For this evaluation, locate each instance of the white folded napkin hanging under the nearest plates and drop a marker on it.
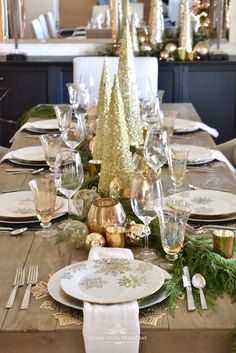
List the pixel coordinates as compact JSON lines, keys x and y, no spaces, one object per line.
{"x":111,"y":328}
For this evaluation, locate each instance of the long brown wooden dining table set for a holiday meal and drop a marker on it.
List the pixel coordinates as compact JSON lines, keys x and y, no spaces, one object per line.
{"x":35,"y":330}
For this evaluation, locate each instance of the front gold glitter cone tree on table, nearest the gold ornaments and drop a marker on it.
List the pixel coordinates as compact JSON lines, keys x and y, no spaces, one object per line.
{"x":116,"y":152}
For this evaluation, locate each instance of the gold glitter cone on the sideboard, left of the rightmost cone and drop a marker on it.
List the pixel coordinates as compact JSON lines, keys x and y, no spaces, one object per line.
{"x":156,"y":22}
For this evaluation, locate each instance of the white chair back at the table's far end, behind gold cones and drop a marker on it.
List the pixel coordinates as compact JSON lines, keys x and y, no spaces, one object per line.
{"x":146,"y":71}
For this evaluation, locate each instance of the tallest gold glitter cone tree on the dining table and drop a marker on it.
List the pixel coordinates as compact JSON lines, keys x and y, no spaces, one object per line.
{"x":129,"y":90}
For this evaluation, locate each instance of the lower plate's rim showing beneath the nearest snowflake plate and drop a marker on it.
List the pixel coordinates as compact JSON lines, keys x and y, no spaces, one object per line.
{"x":56,"y":292}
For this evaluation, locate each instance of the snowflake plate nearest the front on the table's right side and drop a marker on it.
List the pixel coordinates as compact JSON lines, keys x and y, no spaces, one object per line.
{"x":208,"y":203}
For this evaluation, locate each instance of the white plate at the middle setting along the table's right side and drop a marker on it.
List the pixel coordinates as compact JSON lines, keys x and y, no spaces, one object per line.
{"x":199,"y":154}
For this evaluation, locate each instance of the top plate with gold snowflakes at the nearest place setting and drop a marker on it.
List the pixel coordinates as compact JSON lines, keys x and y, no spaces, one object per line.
{"x":113,"y":280}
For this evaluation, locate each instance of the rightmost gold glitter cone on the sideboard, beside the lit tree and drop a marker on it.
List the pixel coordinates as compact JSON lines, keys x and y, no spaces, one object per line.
{"x":185,"y":38}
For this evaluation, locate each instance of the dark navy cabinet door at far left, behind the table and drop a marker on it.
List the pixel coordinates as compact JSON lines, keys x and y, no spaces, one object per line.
{"x":28,"y":86}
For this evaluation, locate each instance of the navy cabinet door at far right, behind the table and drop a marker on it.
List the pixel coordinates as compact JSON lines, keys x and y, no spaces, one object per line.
{"x":212,"y":90}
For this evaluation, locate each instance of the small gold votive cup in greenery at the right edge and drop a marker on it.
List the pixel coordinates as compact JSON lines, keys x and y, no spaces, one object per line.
{"x":223,"y":242}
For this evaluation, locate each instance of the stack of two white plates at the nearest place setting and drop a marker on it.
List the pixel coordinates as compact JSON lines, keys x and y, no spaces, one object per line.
{"x":108,"y":281}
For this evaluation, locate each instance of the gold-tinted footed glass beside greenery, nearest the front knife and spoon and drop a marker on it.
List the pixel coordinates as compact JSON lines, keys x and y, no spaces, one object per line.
{"x":173,"y":219}
